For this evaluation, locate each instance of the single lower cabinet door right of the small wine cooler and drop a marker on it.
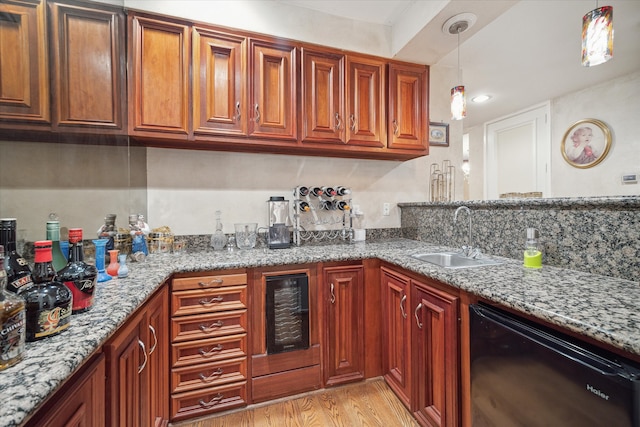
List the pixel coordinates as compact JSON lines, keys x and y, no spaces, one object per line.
{"x":344,"y":317}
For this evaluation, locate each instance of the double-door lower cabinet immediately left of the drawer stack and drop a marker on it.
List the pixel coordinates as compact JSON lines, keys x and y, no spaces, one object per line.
{"x":137,"y":366}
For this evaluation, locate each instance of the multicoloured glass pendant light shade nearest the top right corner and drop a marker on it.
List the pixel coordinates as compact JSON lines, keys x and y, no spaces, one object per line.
{"x":597,"y":36}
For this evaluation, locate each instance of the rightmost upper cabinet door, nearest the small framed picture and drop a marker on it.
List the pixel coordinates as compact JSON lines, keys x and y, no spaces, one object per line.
{"x":408,"y":107}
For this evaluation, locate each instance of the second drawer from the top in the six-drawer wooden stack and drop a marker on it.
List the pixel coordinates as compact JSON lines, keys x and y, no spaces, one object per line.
{"x":208,"y":300}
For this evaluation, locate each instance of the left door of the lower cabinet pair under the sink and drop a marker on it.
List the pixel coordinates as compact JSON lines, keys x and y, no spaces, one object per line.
{"x":396,"y":340}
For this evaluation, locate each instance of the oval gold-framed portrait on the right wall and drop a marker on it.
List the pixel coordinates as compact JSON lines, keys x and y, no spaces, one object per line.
{"x":586,"y":143}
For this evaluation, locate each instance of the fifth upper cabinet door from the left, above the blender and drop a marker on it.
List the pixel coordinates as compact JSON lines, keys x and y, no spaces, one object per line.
{"x":273,"y":93}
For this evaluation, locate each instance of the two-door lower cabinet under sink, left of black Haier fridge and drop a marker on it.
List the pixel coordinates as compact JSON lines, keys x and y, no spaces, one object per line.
{"x":421,"y":347}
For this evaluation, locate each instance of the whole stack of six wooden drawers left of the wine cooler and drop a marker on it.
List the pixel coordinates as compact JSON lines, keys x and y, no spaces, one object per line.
{"x":209,"y":354}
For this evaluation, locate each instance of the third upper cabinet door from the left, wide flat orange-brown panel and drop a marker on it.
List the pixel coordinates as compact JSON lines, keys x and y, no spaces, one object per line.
{"x":158,"y":77}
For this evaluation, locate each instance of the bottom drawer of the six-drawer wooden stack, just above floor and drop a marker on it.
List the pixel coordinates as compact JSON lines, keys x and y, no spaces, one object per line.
{"x":200,"y":402}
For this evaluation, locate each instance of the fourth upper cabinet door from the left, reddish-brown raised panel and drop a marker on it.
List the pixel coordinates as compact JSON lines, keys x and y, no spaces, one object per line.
{"x":219,"y":83}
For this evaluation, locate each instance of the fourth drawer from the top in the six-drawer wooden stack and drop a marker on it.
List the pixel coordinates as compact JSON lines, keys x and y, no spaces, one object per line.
{"x":210,"y":350}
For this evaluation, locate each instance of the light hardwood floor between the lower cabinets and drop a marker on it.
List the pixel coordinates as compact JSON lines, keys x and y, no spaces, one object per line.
{"x":368,"y":403}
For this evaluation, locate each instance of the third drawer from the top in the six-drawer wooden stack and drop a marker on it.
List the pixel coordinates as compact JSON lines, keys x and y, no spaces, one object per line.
{"x":211,"y":325}
